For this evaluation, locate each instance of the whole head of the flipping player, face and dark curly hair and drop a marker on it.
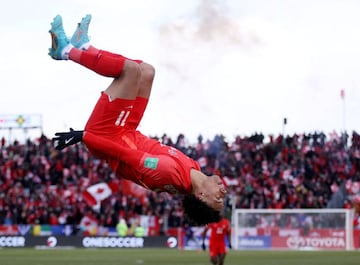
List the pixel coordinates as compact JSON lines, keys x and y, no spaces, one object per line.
{"x":205,"y":206}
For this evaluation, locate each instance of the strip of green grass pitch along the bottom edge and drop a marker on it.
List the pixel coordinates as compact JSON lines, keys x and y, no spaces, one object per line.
{"x":172,"y":257}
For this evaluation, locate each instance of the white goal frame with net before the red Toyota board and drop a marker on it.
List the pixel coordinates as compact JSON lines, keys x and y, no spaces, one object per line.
{"x":293,"y":229}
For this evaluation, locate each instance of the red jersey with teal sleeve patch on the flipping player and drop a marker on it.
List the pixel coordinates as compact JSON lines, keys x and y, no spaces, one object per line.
{"x":145,"y":161}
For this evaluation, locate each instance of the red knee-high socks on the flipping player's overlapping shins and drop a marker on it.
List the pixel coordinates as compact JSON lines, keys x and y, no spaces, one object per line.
{"x":99,"y":61}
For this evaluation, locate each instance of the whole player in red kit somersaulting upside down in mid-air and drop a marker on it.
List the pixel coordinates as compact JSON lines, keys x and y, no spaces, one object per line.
{"x":111,"y":130}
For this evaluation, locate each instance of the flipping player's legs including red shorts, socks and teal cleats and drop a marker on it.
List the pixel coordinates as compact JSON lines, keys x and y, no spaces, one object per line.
{"x":132,"y":78}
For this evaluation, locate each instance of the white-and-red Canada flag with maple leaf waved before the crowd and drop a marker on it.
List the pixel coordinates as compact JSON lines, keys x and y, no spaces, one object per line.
{"x":96,"y":193}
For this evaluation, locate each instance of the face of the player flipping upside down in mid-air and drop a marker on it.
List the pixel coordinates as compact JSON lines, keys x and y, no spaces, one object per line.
{"x":215,"y":193}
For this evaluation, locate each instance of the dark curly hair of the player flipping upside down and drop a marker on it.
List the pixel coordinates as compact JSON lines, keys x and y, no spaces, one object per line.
{"x":198,"y":211}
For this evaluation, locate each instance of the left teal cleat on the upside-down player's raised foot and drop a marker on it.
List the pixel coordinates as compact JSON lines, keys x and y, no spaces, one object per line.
{"x":58,"y":39}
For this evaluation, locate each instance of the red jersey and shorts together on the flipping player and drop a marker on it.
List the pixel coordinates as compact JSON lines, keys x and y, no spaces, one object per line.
{"x":111,"y":134}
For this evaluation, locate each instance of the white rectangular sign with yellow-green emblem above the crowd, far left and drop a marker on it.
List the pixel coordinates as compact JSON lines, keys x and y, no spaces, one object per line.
{"x":20,"y":121}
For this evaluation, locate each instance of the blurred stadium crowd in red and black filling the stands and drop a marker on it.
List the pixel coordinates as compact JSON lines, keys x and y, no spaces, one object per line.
{"x":39,"y":185}
